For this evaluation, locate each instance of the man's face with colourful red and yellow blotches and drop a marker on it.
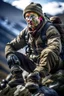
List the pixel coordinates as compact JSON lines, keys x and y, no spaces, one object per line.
{"x":32,"y":19}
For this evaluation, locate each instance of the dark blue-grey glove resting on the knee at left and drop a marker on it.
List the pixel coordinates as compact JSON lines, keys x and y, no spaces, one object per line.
{"x":14,"y":63}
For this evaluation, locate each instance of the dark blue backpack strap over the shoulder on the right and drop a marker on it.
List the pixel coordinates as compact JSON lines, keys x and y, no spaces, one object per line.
{"x":43,"y":33}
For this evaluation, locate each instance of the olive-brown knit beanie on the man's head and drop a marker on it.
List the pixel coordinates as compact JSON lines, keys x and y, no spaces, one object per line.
{"x":33,"y":7}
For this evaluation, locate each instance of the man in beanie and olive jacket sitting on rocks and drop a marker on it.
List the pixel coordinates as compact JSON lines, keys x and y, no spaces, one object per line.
{"x":42,"y":54}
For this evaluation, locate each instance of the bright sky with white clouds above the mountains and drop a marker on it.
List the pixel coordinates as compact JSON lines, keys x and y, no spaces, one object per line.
{"x":52,"y":7}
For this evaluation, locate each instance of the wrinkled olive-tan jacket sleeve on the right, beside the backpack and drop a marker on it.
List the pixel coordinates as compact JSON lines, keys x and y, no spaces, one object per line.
{"x":54,"y":40}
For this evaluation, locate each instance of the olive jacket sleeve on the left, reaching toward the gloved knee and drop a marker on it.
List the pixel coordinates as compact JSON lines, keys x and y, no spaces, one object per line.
{"x":16,"y":44}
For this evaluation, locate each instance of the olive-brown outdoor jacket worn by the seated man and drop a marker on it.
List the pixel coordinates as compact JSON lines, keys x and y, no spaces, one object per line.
{"x":52,"y":42}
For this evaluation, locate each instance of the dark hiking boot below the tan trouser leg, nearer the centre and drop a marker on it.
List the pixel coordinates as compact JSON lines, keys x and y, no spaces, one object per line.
{"x":33,"y":81}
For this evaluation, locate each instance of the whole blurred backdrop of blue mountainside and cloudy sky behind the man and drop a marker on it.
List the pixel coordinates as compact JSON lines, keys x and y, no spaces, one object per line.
{"x":12,"y":22}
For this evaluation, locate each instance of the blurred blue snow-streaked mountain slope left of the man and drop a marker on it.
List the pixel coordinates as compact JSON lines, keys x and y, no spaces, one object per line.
{"x":11,"y":23}
